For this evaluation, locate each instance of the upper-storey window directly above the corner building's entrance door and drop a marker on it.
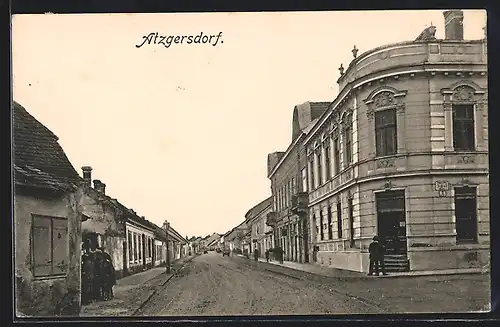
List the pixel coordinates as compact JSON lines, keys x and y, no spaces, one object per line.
{"x":385,"y":132}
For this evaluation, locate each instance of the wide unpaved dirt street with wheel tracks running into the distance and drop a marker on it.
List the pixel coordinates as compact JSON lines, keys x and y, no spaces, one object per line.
{"x":215,"y":285}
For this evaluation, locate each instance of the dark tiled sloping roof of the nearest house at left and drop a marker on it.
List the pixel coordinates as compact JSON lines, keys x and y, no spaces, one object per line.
{"x":39,"y":160}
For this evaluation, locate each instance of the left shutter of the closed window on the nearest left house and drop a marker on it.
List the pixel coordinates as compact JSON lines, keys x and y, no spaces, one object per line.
{"x":42,"y":263}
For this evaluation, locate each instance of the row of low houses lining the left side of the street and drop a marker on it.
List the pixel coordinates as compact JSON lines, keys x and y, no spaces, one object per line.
{"x":56,"y":210}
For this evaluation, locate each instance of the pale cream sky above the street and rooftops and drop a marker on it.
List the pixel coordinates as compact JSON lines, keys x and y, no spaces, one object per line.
{"x":182,"y":133}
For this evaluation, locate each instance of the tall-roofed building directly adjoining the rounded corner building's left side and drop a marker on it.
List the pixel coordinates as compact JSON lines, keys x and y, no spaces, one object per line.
{"x":288,"y":174}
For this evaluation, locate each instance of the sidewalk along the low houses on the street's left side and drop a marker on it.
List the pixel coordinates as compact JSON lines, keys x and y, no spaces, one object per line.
{"x":132,"y":291}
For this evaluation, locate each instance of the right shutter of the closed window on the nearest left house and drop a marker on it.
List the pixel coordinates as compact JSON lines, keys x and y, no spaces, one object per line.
{"x":60,"y":253}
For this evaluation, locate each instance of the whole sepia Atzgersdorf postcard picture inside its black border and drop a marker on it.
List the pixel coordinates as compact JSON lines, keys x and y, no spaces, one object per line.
{"x":191,"y":185}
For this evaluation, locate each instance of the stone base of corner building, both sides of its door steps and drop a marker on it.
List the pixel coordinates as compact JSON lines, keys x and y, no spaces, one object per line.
{"x":421,"y":259}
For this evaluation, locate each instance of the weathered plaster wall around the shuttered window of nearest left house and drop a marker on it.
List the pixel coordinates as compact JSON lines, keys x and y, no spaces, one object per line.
{"x":50,"y":295}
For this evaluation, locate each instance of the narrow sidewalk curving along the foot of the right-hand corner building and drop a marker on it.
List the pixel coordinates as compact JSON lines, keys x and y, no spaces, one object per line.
{"x":335,"y":272}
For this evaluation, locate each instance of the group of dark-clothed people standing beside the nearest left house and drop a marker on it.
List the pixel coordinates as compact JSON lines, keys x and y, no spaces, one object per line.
{"x":98,"y":274}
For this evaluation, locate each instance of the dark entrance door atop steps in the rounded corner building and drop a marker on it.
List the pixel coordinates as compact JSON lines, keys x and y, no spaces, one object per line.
{"x":391,"y":221}
